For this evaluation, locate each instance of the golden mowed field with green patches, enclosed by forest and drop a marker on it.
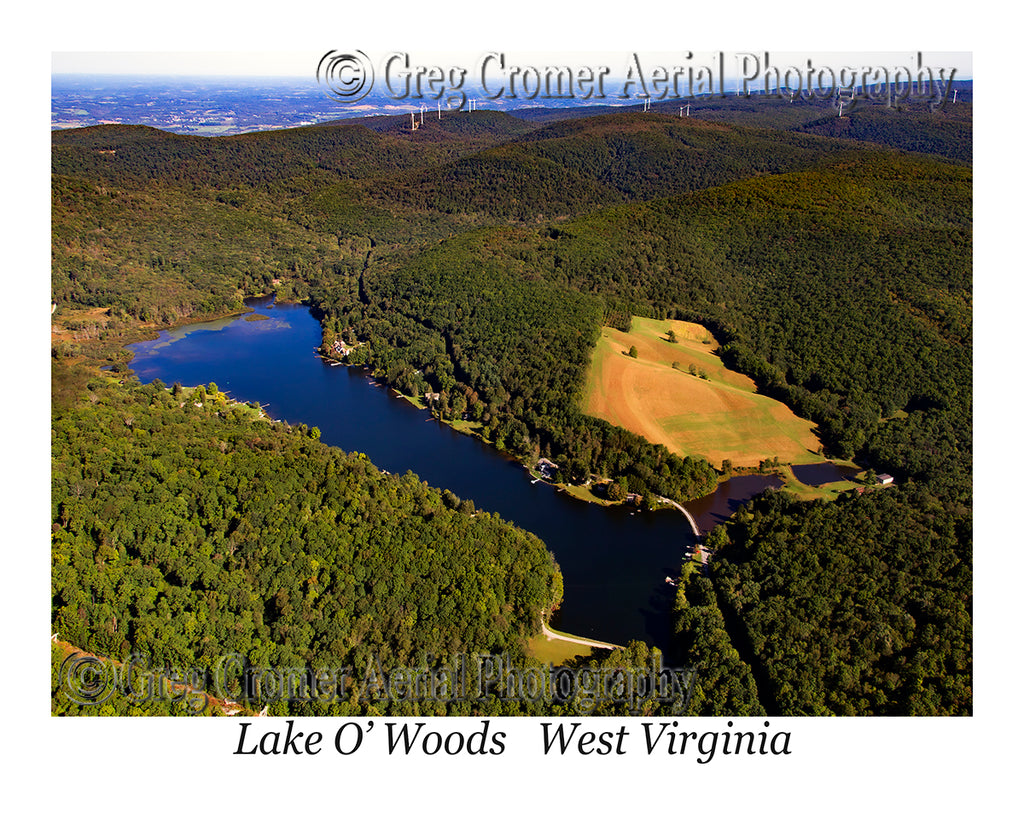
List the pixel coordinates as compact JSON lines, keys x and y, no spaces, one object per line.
{"x":721,"y":418}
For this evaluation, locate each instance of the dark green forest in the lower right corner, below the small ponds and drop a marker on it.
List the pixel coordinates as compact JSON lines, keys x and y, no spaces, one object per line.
{"x":858,"y":608}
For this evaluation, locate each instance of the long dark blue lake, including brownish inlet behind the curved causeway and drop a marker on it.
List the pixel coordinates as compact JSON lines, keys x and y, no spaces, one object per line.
{"x":614,"y":562}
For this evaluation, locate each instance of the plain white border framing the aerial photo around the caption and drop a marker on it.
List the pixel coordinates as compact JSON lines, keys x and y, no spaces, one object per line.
{"x":841,"y":767}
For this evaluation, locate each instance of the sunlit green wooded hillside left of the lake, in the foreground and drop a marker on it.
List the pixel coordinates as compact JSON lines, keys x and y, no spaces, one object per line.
{"x":187,"y":530}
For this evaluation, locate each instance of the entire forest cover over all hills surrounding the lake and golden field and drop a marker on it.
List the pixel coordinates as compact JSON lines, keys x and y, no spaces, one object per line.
{"x":478,"y":258}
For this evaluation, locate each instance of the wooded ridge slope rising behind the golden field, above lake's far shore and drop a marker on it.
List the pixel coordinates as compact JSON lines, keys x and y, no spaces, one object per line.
{"x":836,"y":291}
